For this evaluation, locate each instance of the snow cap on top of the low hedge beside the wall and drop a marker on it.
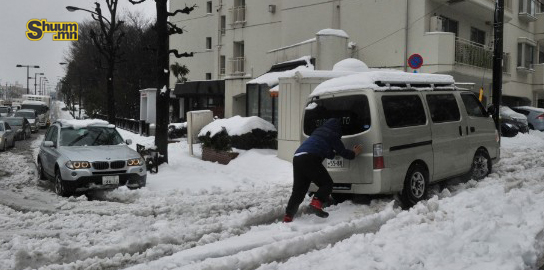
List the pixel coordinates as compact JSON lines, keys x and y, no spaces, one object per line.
{"x":237,"y":125}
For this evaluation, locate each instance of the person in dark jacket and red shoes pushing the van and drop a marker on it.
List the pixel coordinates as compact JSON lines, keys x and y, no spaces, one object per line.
{"x":308,"y":167}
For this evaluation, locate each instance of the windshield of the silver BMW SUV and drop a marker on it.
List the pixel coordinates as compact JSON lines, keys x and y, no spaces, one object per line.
{"x":89,"y":136}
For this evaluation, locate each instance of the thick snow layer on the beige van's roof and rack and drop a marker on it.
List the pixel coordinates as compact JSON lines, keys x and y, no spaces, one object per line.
{"x":385,"y":80}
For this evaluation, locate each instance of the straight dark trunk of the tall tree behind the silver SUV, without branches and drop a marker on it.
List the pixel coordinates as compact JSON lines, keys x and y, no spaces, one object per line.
{"x":163,"y":98}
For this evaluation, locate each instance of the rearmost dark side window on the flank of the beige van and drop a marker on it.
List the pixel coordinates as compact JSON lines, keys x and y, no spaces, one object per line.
{"x":403,"y":111}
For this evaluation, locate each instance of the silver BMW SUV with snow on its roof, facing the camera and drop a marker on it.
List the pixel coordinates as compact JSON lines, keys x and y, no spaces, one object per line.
{"x":79,"y":155}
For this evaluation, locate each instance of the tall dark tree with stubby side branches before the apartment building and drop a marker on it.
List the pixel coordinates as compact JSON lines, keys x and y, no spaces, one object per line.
{"x":164,"y":30}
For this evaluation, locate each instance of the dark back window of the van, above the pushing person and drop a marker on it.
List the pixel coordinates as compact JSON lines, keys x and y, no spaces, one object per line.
{"x":352,"y":111}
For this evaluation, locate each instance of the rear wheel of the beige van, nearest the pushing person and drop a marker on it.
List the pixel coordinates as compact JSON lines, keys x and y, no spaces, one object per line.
{"x":415,"y":185}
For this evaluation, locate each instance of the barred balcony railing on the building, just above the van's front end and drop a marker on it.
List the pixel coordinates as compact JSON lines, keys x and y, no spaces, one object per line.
{"x":477,"y":55}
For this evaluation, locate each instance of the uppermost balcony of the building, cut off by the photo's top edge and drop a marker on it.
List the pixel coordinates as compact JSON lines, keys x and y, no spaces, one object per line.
{"x":478,"y":9}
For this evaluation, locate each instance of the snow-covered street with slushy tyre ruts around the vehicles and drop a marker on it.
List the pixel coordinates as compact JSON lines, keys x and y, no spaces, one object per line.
{"x":195,"y":214}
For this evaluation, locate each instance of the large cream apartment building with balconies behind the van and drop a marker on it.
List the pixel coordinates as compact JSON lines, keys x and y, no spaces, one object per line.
{"x":236,"y":41}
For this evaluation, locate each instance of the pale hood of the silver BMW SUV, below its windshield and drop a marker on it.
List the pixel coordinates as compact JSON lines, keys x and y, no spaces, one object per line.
{"x":98,"y":153}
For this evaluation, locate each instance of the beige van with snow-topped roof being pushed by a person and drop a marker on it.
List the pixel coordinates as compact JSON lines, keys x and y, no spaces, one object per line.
{"x":416,"y":129}
